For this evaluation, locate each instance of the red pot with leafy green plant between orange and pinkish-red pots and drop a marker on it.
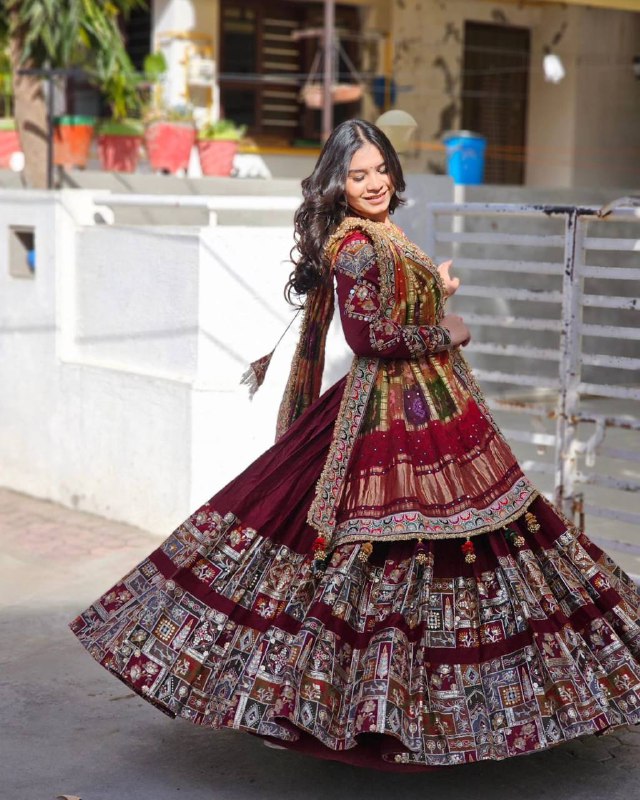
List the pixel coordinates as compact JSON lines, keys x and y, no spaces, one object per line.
{"x":121,"y":136}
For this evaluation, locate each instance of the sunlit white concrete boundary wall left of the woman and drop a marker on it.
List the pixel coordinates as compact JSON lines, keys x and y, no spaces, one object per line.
{"x":121,"y":359}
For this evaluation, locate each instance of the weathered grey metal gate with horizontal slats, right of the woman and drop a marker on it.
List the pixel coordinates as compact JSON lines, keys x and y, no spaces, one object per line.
{"x":551,"y":293}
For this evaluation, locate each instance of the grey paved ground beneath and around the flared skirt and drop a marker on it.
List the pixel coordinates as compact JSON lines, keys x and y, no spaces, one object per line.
{"x":70,"y":728}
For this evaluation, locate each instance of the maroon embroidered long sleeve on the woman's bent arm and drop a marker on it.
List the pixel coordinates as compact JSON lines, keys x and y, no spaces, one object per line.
{"x":367,"y":330}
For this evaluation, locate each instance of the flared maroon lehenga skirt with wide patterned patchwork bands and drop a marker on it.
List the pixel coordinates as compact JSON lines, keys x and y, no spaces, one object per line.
{"x":389,"y":663}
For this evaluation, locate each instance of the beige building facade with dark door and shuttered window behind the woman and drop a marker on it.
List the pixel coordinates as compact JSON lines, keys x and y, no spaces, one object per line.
{"x":453,"y":64}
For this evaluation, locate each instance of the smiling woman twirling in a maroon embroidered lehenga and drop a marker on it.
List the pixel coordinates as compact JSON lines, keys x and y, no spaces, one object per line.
{"x":383,"y":586}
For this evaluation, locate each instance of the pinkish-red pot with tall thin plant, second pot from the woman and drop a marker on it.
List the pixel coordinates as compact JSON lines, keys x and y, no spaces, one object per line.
{"x":170,"y":132}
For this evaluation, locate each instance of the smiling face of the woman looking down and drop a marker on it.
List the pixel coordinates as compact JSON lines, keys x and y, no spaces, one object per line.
{"x":369,"y":189}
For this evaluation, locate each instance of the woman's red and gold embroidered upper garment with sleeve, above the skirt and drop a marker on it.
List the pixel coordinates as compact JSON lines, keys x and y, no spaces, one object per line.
{"x":415,"y":452}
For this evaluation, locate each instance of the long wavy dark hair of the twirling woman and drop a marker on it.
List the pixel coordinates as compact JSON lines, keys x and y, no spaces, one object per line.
{"x":324,"y":204}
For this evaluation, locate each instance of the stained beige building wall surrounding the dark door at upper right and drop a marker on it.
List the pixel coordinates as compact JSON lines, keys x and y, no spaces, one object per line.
{"x":582,"y":131}
